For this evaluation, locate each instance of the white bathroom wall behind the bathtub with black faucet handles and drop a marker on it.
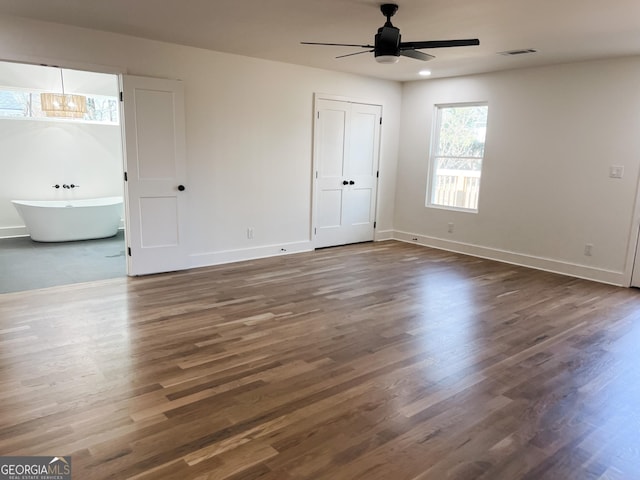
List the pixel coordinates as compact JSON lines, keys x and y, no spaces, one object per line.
{"x":36,"y":154}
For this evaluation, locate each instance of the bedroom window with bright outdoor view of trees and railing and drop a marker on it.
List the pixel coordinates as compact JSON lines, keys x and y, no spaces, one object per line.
{"x":456,"y":156}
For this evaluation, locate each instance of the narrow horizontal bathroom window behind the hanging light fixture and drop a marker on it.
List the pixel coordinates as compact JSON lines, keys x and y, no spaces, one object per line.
{"x":26,"y":104}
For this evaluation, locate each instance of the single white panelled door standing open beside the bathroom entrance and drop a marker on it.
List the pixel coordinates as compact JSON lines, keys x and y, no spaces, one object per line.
{"x":155,"y":164}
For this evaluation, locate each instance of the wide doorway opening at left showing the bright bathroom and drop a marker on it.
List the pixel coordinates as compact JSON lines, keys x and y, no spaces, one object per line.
{"x":63,"y":158}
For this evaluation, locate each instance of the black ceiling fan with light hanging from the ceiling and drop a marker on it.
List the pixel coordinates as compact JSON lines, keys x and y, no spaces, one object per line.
{"x":388,"y":48}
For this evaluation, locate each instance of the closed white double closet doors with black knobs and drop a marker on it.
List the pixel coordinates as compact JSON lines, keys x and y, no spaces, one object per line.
{"x":346,"y":152}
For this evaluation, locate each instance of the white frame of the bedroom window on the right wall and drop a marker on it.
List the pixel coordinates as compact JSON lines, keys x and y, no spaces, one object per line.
{"x":435,"y":142}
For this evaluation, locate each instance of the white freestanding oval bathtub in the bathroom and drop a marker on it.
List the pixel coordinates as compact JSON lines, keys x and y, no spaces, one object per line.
{"x":69,"y":220}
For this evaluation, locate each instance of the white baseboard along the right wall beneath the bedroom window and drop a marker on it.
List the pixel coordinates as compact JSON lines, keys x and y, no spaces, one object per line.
{"x":546,"y":264}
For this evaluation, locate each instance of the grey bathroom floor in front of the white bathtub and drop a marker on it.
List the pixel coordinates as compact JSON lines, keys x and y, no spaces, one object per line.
{"x":27,"y":265}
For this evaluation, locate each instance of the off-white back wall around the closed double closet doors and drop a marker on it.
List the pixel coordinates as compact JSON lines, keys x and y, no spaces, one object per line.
{"x":249,"y":131}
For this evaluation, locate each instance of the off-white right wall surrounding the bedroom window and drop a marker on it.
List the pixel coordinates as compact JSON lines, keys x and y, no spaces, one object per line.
{"x":552,"y":134}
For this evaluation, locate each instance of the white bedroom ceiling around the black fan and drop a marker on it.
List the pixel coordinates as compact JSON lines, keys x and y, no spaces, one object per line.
{"x":561,"y":30}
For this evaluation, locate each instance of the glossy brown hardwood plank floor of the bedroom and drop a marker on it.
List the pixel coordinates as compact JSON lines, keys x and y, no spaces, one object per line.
{"x":371,"y":361}
